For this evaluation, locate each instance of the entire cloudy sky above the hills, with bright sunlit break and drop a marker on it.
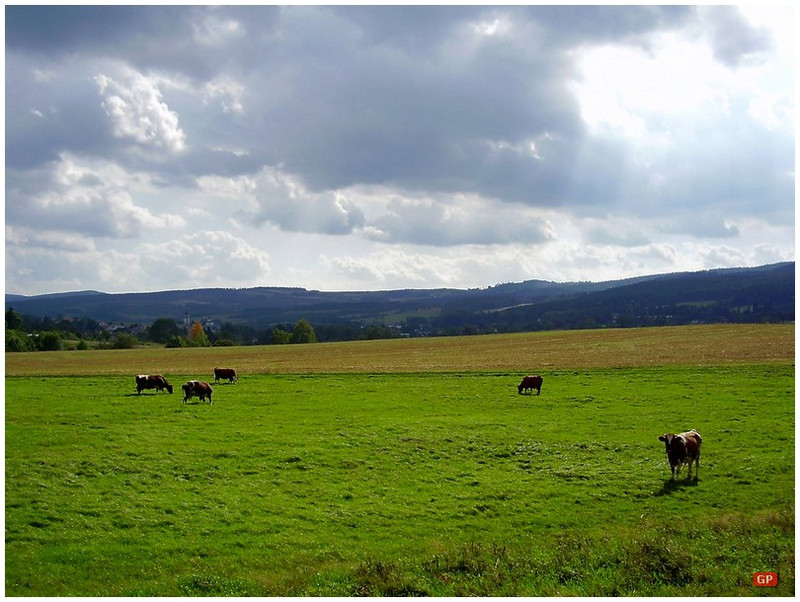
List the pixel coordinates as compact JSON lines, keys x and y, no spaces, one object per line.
{"x":391,"y":147}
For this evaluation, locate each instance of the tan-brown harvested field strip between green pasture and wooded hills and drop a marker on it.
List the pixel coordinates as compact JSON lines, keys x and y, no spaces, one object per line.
{"x":702,"y":345}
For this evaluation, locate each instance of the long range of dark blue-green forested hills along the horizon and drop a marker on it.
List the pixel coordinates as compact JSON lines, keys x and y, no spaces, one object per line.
{"x":762,"y":294}
